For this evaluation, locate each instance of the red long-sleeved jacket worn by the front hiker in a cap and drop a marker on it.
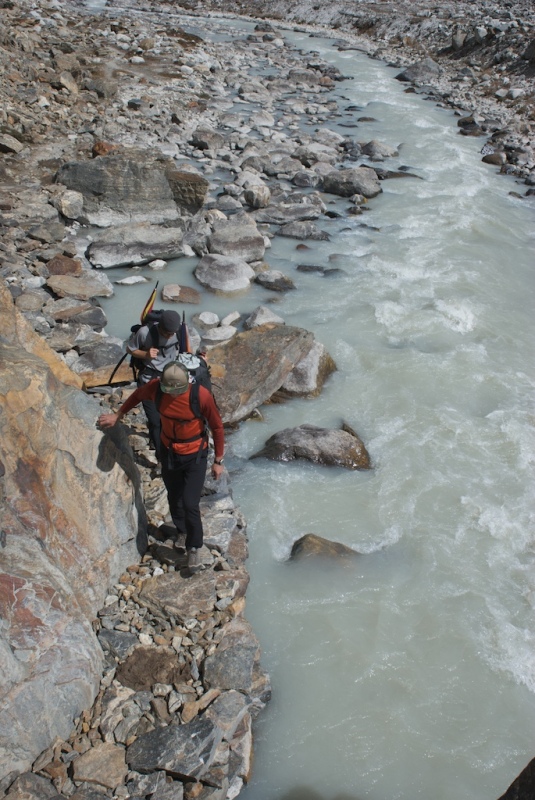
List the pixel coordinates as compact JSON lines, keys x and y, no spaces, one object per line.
{"x":178,"y":420}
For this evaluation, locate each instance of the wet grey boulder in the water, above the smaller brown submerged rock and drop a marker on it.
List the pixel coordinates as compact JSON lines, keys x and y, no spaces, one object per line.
{"x":336,"y":448}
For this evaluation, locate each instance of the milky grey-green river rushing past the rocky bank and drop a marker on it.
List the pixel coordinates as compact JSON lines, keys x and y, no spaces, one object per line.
{"x":411,"y":674}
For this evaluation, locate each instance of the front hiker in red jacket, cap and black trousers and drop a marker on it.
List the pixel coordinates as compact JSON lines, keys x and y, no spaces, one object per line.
{"x":184,"y":447}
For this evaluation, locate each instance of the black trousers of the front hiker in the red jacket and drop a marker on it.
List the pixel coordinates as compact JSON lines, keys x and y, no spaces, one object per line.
{"x":183,"y":477}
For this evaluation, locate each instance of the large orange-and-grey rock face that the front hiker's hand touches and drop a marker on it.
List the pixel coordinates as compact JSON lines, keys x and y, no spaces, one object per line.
{"x":71,"y":520}
